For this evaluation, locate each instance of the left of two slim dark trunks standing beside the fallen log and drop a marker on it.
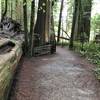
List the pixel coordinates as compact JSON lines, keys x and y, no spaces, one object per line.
{"x":25,"y":25}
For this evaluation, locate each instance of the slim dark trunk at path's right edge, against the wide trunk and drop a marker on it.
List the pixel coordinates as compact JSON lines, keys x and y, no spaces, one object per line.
{"x":73,"y":24}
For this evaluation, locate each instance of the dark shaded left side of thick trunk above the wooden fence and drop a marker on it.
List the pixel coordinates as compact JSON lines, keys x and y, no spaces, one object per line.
{"x":41,"y":21}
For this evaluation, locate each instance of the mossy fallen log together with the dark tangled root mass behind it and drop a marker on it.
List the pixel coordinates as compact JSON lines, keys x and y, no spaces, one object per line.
{"x":11,"y":40}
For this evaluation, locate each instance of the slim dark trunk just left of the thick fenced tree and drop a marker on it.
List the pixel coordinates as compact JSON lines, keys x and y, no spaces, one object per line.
{"x":31,"y":38}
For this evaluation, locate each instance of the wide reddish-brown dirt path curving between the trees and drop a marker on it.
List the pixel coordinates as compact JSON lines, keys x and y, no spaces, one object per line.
{"x":61,"y":76}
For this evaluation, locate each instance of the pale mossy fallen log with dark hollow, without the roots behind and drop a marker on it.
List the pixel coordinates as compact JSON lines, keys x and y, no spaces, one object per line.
{"x":9,"y":59}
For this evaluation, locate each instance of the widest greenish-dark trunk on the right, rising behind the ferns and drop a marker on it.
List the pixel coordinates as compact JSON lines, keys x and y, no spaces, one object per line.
{"x":83,"y":21}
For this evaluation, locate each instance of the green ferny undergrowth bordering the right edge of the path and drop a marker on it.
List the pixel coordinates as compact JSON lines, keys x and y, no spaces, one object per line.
{"x":92,"y":52}
